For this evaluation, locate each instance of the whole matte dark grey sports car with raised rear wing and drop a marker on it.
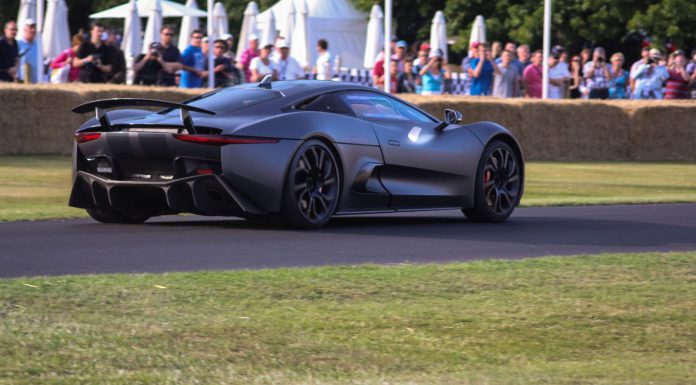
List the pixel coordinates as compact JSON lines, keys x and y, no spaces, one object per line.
{"x":298,"y":152}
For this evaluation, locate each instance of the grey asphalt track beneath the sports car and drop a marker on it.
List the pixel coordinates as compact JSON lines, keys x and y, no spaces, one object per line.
{"x":187,"y":243}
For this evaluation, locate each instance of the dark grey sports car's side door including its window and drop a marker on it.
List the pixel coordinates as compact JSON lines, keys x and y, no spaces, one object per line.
{"x":424,"y":167}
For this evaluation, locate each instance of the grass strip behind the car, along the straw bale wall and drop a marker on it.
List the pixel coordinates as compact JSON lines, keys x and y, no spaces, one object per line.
{"x":37,"y":187}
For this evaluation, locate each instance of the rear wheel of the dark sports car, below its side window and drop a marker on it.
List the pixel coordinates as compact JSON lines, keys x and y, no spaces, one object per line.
{"x":312,"y":187}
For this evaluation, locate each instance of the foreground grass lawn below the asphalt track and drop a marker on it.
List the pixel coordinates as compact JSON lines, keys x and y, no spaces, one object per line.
{"x":609,"y":319}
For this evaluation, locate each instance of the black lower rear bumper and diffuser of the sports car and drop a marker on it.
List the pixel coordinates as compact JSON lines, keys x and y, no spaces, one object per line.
{"x":201,"y":194}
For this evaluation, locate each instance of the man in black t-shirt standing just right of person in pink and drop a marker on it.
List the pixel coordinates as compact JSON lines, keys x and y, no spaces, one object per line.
{"x":93,"y":57}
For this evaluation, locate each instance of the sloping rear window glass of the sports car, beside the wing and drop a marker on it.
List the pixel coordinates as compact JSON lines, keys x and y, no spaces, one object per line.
{"x":231,"y":99}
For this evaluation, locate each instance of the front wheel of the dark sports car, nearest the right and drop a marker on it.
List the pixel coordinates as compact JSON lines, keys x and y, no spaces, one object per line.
{"x":498,"y":184}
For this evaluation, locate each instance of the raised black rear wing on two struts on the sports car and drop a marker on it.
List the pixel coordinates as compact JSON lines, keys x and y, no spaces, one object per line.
{"x":100,"y":107}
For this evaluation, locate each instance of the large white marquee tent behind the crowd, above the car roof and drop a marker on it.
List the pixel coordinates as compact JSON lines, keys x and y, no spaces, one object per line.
{"x":337,"y":21}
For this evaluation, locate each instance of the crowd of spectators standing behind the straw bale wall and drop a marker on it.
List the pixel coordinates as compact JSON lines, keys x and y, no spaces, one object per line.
{"x":498,"y":70}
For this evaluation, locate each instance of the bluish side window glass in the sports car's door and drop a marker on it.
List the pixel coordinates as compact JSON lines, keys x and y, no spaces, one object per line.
{"x":368,"y":105}
